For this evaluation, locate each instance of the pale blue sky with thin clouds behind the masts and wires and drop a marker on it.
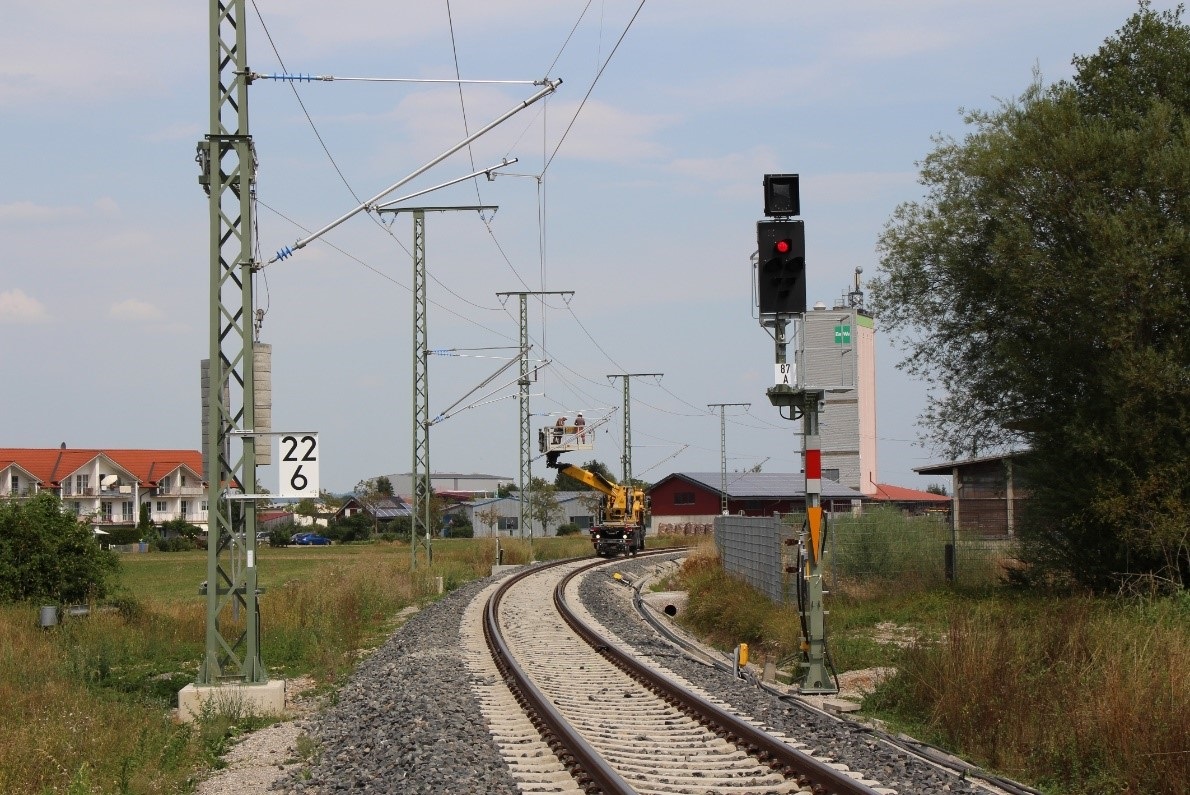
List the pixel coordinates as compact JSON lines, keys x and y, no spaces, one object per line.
{"x":647,"y":210}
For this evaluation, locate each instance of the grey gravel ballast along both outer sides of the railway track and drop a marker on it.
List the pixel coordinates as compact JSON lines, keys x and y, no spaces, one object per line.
{"x":408,"y":722}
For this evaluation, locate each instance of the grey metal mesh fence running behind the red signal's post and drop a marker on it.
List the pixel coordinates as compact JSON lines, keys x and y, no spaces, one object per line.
{"x":875,"y":552}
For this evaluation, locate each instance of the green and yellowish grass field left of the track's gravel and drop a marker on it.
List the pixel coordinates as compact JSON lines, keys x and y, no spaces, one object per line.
{"x":86,"y":706}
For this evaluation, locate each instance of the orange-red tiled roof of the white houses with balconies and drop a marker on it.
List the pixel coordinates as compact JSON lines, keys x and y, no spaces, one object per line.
{"x":53,"y":465}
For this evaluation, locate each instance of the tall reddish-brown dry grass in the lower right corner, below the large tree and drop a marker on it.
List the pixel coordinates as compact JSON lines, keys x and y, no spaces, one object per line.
{"x":1082,"y":696}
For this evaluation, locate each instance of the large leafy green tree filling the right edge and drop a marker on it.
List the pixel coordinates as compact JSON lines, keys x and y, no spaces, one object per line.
{"x":1042,"y":291}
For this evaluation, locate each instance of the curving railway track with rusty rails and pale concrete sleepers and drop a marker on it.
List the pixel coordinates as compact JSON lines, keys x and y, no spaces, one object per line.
{"x":573,"y":712}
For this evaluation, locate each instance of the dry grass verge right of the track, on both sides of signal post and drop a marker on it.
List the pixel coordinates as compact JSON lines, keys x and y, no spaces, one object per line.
{"x":1078,"y":696}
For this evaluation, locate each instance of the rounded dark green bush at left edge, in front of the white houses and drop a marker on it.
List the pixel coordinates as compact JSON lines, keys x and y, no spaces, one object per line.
{"x":49,"y":555}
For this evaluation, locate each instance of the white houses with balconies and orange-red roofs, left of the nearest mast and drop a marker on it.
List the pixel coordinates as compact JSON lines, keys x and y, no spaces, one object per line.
{"x":109,"y":486}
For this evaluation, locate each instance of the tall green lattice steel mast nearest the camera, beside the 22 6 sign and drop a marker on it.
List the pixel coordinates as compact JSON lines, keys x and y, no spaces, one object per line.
{"x":228,"y":165}
